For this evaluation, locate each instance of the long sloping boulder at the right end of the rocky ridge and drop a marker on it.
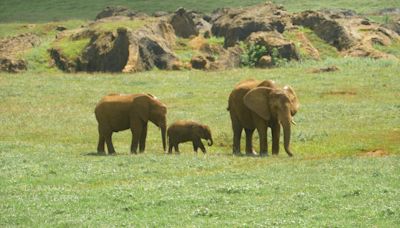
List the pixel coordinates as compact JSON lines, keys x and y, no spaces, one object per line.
{"x":351,"y":34}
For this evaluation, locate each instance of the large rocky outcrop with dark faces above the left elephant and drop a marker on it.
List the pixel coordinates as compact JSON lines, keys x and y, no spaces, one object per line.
{"x":123,"y":50}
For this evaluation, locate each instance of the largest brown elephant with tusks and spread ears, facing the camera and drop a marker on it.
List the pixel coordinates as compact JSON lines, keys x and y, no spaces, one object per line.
{"x":258,"y":105}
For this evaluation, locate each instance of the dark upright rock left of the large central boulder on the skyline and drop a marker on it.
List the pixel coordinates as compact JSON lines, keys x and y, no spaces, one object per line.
{"x":183,"y":24}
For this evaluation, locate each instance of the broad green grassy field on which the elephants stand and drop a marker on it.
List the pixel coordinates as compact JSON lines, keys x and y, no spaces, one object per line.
{"x":49,"y":178}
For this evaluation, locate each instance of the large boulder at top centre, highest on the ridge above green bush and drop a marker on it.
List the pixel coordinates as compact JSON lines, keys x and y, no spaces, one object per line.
{"x":237,"y":24}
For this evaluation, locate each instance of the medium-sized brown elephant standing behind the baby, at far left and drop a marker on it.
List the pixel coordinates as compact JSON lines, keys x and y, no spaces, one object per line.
{"x":118,"y":112}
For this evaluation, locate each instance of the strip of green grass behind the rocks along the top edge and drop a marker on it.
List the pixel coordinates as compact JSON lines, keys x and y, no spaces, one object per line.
{"x":55,"y":10}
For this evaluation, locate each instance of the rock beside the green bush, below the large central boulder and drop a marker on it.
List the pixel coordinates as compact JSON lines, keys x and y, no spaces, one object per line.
{"x":274,"y":40}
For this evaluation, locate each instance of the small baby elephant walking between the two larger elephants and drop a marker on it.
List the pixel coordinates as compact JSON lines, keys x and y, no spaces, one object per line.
{"x":186,"y":130}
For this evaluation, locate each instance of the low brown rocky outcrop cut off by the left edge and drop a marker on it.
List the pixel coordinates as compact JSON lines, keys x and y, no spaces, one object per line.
{"x":11,"y":50}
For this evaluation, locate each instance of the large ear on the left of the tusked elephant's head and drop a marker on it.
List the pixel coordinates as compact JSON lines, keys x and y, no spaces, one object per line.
{"x":257,"y":100}
